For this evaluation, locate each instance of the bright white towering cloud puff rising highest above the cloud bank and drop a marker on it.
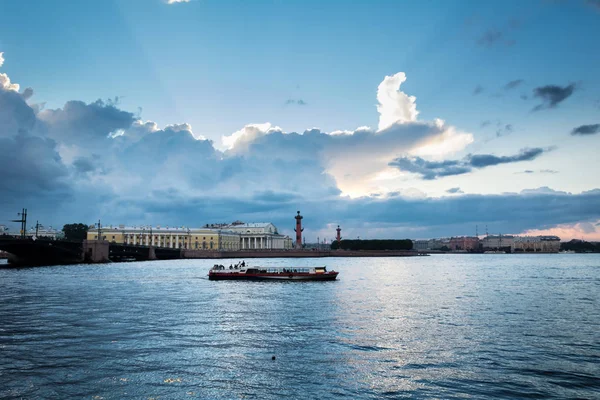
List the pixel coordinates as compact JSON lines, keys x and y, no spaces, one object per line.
{"x":394,"y":105}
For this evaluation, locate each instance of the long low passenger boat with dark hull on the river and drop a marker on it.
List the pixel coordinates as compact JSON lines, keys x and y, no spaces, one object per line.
{"x":220,"y":272}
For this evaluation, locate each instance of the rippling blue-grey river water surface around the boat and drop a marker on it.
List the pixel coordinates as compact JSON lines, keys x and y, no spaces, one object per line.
{"x":446,"y":326}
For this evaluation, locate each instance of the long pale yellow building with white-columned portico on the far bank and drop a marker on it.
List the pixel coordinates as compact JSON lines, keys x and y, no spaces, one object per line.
{"x":227,"y":237}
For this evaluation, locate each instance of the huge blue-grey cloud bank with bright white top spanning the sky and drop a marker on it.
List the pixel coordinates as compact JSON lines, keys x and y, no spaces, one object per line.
{"x":86,"y":161}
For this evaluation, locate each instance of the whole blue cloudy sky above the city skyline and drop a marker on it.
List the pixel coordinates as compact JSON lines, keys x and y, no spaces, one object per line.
{"x":392,"y":119}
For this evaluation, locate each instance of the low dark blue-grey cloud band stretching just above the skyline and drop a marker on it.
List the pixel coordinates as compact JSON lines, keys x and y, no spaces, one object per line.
{"x":392,"y":216}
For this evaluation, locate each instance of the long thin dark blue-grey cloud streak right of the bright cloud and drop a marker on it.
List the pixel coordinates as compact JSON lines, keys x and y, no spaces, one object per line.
{"x":436,"y":169}
